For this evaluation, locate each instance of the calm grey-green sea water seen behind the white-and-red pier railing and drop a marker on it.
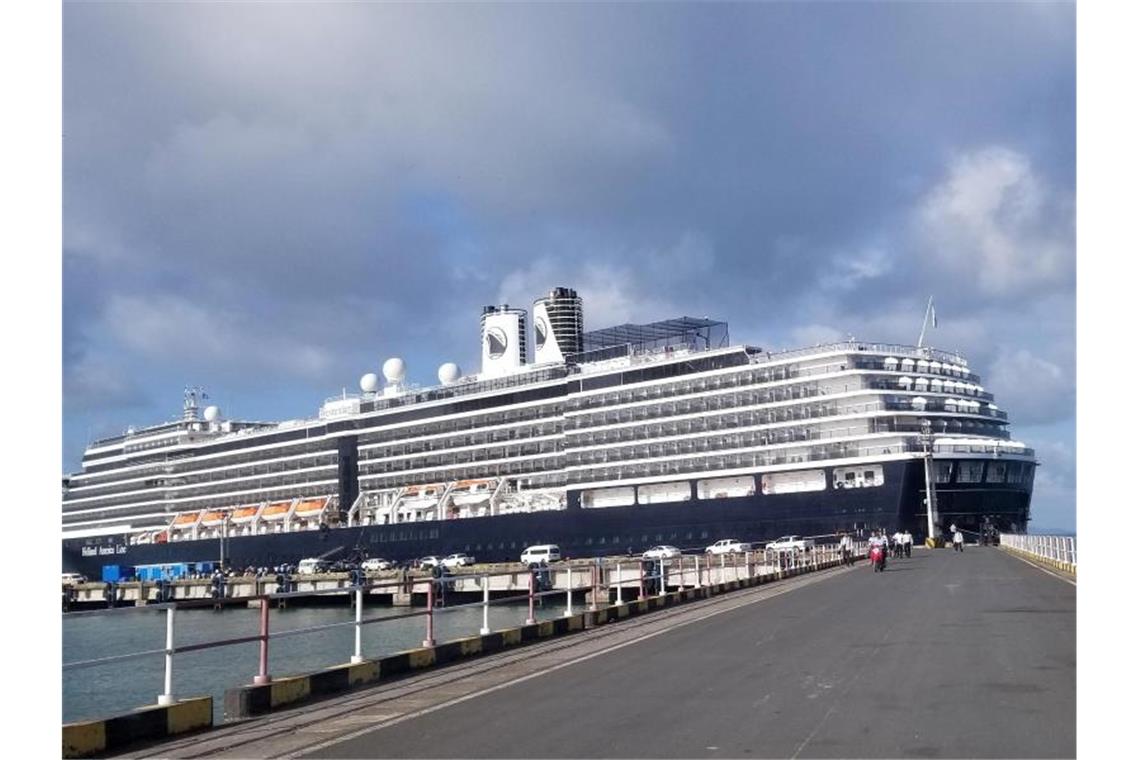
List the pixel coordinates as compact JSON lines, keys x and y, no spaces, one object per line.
{"x":115,"y":689}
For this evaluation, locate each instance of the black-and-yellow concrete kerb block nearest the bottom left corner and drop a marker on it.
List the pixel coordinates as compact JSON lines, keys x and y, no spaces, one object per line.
{"x":89,"y":738}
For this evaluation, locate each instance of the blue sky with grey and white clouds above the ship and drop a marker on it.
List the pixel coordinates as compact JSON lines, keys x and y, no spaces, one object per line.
{"x":268,"y":200}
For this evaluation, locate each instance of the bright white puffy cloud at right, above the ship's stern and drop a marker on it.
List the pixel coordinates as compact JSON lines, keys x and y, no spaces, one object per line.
{"x":996,"y":224}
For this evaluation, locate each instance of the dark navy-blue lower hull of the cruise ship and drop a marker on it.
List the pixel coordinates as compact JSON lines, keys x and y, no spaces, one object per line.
{"x":581,"y":533}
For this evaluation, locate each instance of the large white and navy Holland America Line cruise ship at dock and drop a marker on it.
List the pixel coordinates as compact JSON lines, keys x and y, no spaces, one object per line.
{"x":604,"y":443}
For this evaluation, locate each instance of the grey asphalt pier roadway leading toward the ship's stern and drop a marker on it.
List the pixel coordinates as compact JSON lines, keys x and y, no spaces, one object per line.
{"x":943,"y":656}
